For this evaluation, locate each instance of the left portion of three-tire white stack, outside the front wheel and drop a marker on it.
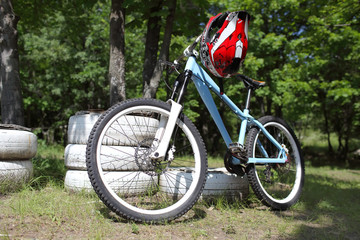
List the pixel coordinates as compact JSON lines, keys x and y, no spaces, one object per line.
{"x":79,"y":128}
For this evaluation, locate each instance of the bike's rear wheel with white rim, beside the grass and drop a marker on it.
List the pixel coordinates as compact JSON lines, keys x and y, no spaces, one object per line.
{"x":276,"y":185}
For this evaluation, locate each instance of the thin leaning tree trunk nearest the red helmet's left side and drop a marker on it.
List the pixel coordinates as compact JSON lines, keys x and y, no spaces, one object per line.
{"x":153,"y":85}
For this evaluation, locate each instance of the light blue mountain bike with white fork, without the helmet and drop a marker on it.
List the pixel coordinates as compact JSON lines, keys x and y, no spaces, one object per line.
{"x":147,"y":161}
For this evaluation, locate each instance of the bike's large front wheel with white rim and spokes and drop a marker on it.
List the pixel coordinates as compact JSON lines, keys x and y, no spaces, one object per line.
{"x":125,"y":177}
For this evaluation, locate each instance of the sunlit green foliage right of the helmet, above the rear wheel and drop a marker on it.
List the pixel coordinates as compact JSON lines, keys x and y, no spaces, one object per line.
{"x":308,"y":54}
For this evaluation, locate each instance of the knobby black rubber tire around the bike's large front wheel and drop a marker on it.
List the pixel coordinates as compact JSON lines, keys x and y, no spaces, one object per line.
{"x":103,"y":193}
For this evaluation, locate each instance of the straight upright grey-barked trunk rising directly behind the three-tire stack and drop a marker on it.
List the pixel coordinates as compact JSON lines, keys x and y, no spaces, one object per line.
{"x":117,"y":52}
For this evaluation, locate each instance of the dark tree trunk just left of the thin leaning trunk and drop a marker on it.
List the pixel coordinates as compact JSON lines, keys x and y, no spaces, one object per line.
{"x":151,"y":48}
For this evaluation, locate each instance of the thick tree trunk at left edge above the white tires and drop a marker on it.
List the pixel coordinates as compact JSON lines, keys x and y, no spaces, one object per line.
{"x":12,"y":108}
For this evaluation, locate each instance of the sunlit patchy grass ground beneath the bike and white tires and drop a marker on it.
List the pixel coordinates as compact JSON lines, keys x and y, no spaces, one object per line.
{"x":329,"y":209}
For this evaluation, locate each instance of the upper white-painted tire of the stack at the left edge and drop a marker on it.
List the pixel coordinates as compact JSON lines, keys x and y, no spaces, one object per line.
{"x":17,"y":144}
